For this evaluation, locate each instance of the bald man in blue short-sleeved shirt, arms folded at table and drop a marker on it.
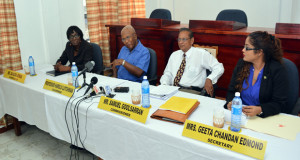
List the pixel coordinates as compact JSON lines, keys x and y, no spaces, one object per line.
{"x":133,"y":60}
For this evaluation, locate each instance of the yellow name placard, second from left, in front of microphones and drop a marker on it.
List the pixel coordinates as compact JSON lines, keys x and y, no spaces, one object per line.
{"x":58,"y":87}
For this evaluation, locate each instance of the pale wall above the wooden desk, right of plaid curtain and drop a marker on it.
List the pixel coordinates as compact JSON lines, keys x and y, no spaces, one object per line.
{"x":260,"y":13}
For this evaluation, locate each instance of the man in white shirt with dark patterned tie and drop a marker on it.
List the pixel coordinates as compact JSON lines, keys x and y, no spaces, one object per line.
{"x":187,"y":67}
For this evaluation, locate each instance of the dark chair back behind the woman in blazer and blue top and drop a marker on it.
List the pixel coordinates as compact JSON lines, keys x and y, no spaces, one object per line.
{"x":293,"y":88}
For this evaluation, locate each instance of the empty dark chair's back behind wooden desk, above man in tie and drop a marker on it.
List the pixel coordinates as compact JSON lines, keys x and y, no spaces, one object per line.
{"x":233,"y":15}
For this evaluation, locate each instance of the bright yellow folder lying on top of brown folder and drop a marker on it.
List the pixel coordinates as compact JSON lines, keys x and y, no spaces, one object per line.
{"x":179,"y":104}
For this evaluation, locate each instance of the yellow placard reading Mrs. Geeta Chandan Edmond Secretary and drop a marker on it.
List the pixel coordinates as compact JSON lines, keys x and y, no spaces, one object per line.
{"x":226,"y":139}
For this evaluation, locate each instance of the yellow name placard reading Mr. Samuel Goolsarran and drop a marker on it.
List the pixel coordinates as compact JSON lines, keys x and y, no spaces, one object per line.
{"x":131,"y":111}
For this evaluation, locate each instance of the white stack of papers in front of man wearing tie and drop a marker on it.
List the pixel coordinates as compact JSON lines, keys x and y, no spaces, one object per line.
{"x":163,"y":91}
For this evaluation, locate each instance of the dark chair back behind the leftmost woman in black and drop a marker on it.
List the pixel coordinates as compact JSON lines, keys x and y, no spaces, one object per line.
{"x":98,"y":59}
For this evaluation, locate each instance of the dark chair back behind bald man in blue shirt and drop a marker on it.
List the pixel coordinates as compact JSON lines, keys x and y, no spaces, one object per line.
{"x":152,"y":69}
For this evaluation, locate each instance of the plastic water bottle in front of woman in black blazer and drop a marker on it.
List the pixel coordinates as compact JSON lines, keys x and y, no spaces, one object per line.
{"x":236,"y":113}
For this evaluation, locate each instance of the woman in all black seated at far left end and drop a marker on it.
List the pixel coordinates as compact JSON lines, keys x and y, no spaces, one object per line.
{"x":77,"y":50}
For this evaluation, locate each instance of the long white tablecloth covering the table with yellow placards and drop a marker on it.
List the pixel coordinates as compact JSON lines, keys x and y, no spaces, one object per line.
{"x":111,"y":136}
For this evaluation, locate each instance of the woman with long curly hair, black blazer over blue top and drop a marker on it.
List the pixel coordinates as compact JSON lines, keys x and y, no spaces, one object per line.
{"x":260,"y":77}
